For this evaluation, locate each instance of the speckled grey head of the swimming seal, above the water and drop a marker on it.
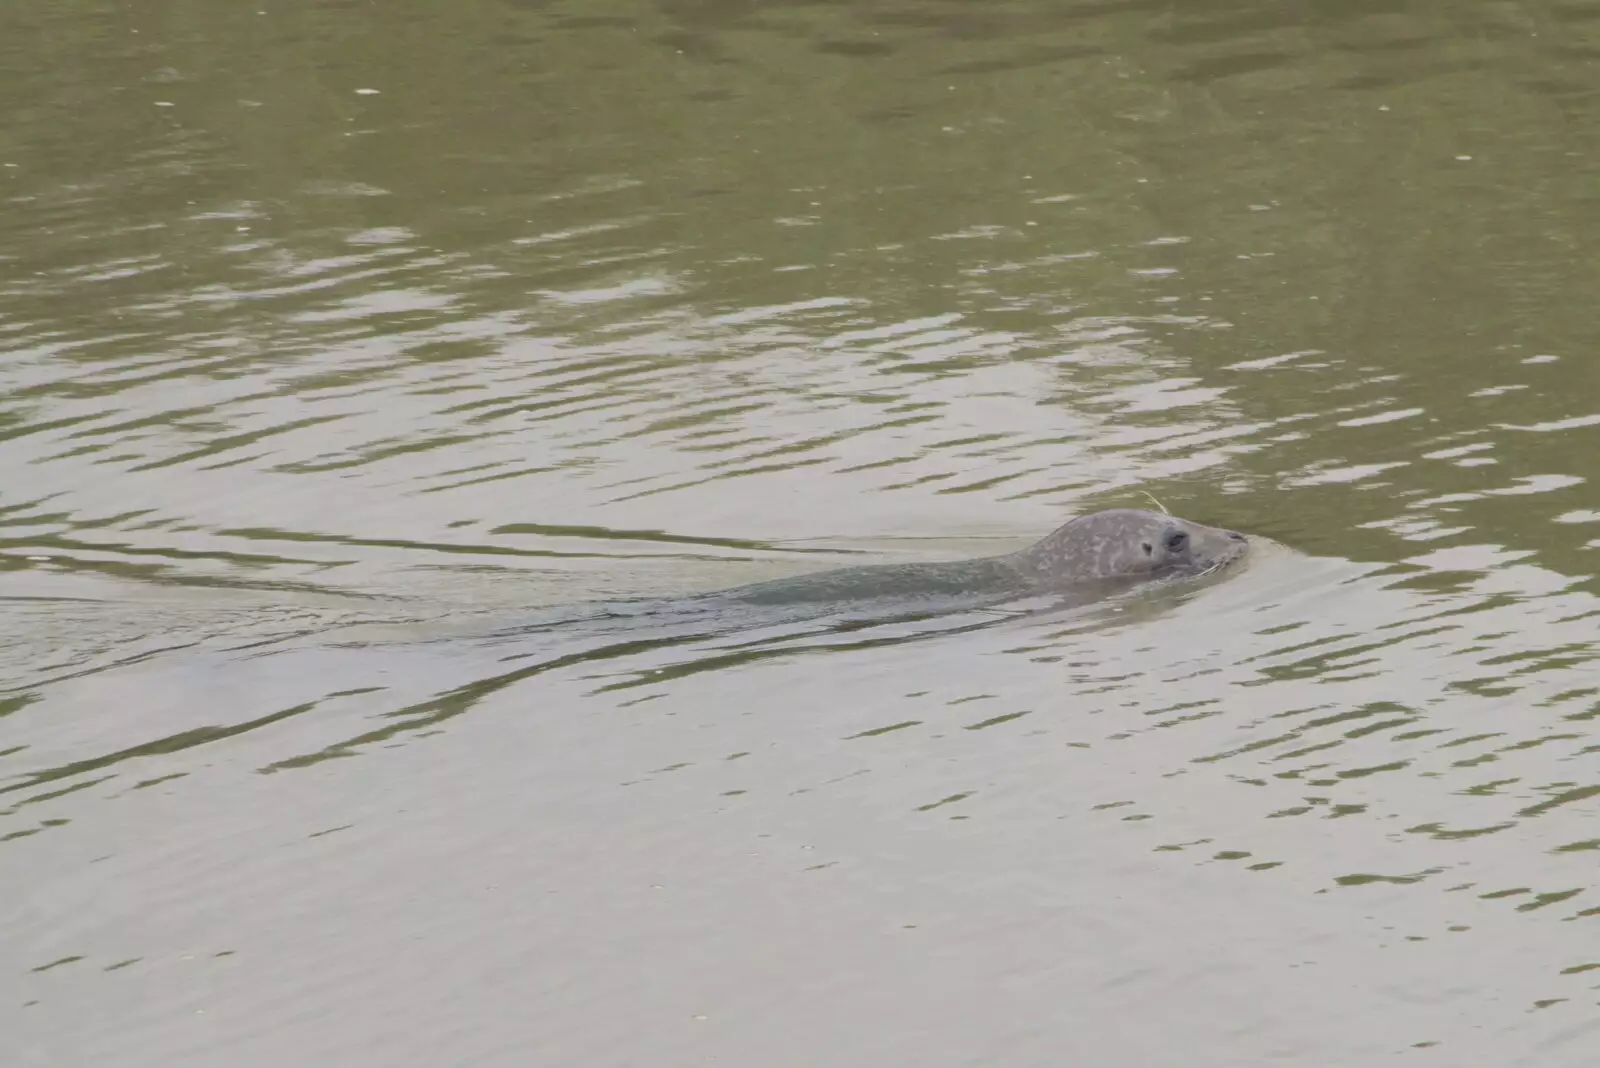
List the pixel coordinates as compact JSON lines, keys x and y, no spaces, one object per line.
{"x":1127,"y":544}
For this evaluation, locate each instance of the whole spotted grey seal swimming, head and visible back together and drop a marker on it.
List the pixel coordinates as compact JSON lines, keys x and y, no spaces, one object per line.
{"x":1116,"y":548}
